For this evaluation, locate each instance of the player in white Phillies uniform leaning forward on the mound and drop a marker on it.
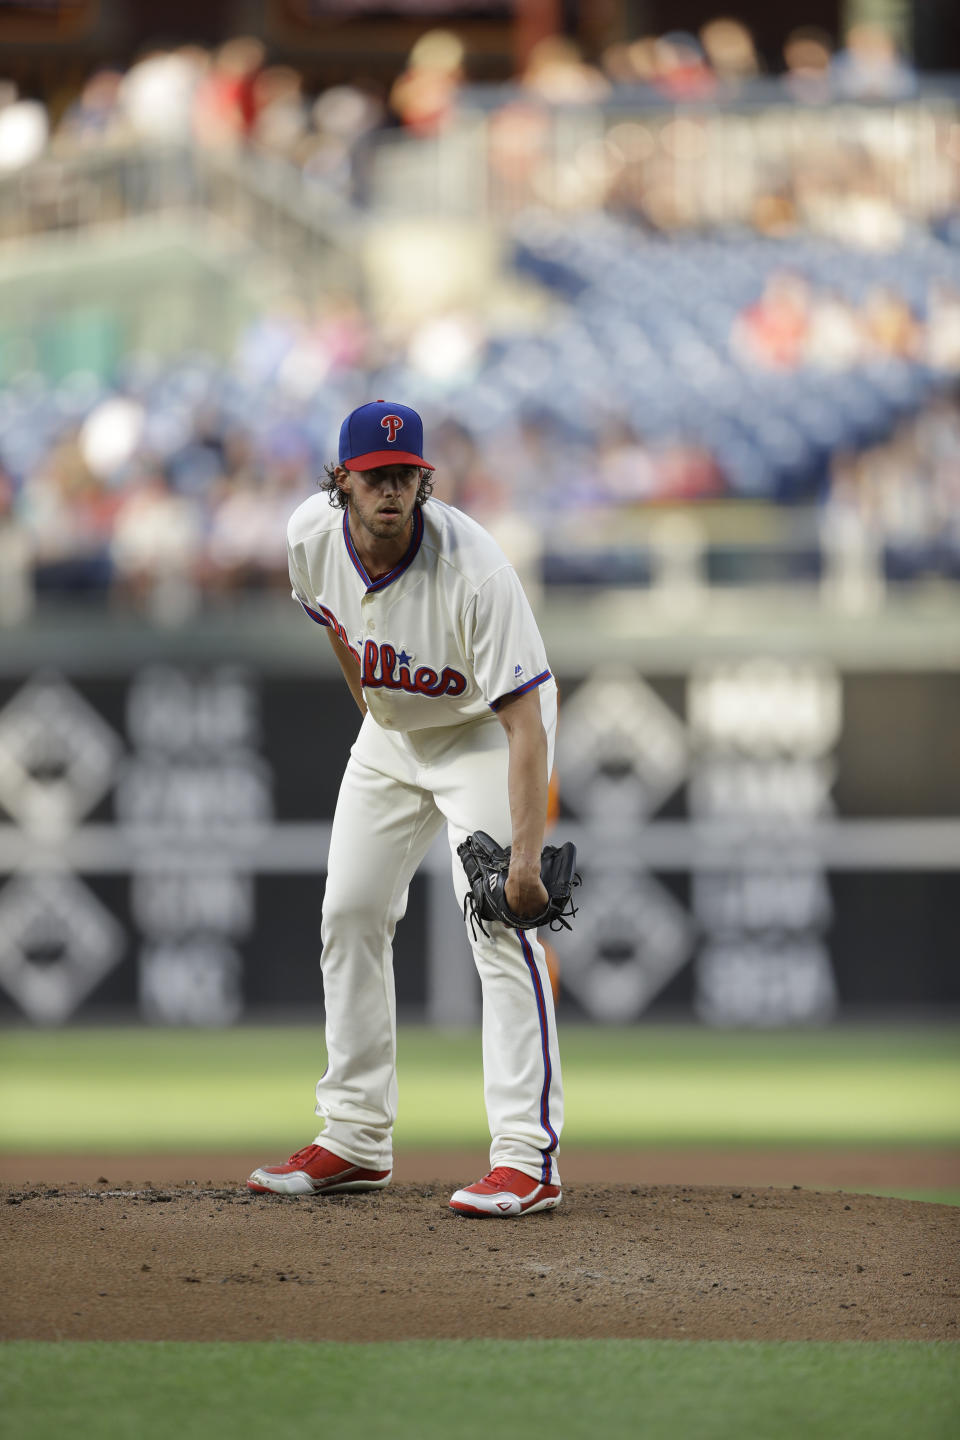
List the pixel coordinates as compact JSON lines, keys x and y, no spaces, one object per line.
{"x":443,"y":654}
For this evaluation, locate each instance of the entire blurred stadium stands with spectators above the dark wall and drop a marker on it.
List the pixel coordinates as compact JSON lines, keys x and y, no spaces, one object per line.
{"x":709,"y":287}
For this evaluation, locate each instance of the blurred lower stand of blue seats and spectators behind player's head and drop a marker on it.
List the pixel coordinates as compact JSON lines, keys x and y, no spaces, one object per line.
{"x":664,"y":372}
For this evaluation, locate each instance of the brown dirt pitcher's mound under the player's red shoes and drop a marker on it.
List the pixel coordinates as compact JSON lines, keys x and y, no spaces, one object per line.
{"x":676,"y":1262}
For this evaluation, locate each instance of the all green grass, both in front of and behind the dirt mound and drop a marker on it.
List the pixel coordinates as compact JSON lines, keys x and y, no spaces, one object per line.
{"x":152,"y":1091}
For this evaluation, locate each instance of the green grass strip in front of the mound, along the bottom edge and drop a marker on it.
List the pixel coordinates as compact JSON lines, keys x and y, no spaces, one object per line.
{"x":435,"y":1390}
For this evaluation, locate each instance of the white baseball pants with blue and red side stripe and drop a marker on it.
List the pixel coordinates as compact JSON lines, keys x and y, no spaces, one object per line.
{"x":397,"y":794}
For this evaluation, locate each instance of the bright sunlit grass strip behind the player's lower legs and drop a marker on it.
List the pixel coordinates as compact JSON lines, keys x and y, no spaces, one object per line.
{"x":175,"y":1089}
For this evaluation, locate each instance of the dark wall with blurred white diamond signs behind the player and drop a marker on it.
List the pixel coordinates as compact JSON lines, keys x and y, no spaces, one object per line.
{"x":764,"y":842}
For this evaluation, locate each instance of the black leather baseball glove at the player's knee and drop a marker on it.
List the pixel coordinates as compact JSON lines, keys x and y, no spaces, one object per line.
{"x":487,"y":866}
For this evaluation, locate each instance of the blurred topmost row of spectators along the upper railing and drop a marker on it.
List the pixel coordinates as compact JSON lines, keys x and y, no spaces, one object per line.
{"x":237,"y":96}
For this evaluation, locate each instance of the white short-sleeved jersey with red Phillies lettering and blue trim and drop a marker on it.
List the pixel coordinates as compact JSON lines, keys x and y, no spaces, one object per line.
{"x":440,"y":640}
